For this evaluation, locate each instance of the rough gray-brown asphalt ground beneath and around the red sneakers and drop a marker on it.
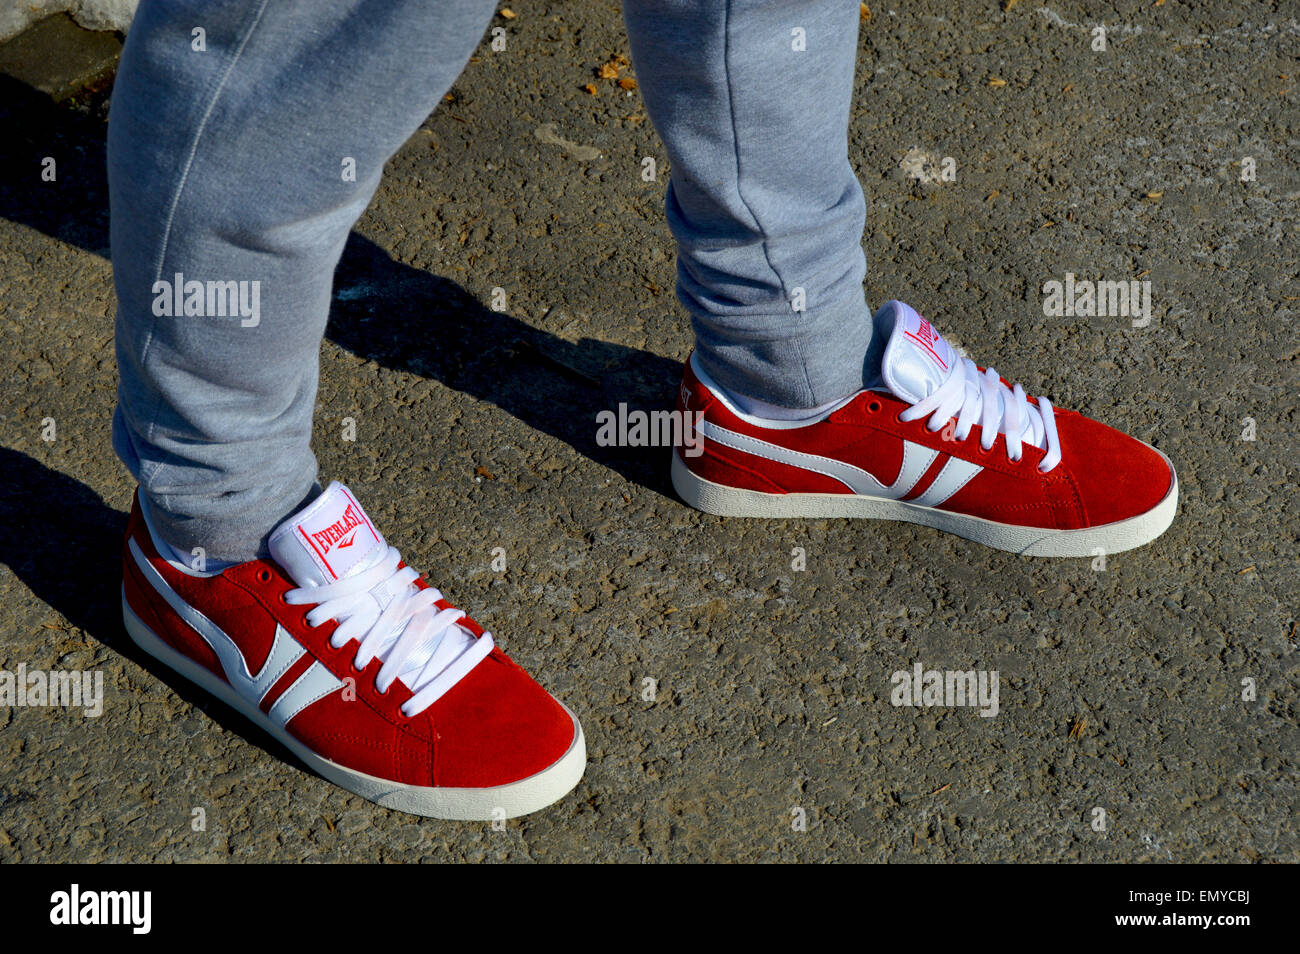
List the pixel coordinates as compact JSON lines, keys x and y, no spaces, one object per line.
{"x":1121,"y":688}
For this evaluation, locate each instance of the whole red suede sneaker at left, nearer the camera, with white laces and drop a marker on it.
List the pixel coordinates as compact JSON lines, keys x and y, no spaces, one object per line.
{"x":358,"y":666}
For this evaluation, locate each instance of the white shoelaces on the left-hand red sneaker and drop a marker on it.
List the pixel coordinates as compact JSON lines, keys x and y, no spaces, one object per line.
{"x":411,"y":613}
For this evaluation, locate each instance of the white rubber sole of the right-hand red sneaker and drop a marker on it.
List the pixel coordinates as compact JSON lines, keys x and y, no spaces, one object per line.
{"x":1029,"y":541}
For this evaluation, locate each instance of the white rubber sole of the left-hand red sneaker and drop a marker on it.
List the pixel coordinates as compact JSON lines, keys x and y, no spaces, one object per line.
{"x":463,"y":805}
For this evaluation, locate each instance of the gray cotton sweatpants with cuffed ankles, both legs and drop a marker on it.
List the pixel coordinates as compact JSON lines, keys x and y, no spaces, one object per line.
{"x":226,"y":172}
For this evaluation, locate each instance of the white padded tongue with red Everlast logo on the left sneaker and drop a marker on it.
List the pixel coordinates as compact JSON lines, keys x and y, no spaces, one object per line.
{"x":330,"y":540}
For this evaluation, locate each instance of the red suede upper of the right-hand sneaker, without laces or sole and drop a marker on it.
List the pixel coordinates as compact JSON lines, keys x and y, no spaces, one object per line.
{"x":1104,"y":476}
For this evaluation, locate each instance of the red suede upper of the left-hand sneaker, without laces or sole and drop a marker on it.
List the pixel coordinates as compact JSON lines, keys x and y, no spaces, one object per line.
{"x":495,"y":727}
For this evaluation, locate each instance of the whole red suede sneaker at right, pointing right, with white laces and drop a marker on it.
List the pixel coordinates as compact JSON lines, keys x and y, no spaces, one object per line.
{"x":941,"y":443}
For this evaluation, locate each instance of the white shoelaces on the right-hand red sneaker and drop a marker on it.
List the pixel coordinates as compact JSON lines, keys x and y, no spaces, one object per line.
{"x":968,"y":394}
